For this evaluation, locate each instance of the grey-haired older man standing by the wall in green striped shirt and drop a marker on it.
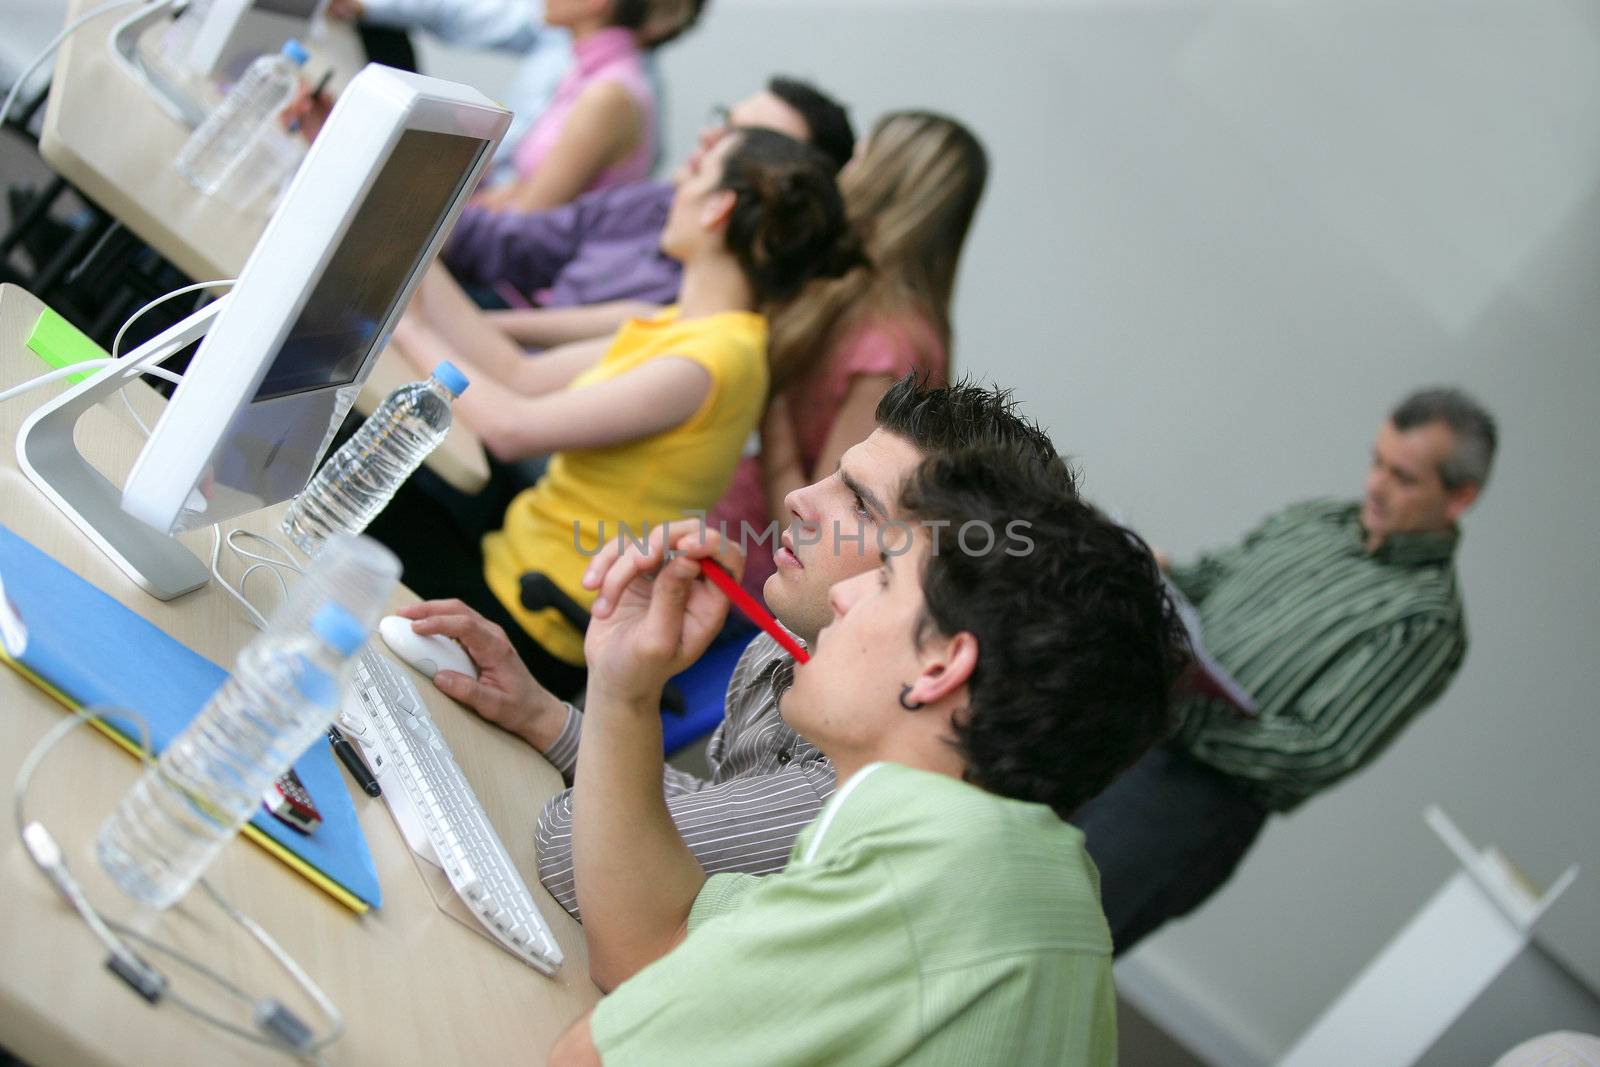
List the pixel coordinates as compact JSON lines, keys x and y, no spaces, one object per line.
{"x":1343,"y":620}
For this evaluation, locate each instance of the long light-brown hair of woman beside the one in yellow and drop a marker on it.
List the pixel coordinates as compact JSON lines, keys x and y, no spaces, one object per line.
{"x":913,"y":198}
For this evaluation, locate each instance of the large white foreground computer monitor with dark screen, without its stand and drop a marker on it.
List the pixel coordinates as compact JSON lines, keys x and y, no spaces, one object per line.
{"x":318,"y":298}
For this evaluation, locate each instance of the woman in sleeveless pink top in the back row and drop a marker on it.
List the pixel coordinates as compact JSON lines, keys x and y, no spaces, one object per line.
{"x":601,"y":129}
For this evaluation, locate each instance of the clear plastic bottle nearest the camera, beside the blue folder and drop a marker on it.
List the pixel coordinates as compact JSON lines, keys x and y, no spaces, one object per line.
{"x":209,"y":781}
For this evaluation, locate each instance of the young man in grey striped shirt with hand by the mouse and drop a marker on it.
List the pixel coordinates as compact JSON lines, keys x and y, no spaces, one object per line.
{"x":767,"y":783}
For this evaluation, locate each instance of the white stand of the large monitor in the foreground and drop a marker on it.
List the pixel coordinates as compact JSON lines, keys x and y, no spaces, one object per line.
{"x":50,"y":458}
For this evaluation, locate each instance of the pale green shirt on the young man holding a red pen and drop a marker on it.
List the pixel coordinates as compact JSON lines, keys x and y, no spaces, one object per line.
{"x":921,"y":921}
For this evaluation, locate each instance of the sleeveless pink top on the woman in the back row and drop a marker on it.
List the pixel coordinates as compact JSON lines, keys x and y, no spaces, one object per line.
{"x":612,"y":55}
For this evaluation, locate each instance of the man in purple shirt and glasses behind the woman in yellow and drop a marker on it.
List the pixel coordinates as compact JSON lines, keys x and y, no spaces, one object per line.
{"x":606,"y":247}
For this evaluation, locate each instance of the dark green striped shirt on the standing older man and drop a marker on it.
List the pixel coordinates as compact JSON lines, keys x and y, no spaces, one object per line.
{"x":1340,"y":647}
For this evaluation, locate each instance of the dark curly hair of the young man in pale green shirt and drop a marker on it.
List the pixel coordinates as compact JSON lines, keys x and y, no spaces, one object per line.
{"x":1078,"y":639}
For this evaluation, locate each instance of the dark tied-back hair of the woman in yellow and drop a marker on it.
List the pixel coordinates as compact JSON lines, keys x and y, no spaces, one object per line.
{"x":788,"y":223}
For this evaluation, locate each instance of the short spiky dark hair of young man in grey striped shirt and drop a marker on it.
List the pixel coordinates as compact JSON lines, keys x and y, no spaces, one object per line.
{"x":964,"y":415}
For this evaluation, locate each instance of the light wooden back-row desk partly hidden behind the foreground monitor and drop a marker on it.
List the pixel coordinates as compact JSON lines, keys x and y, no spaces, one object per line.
{"x":108,"y":137}
